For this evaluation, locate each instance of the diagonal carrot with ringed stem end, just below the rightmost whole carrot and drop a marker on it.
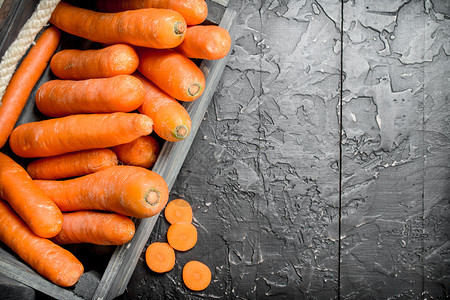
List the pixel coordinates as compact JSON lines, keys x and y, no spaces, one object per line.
{"x":172,"y":72}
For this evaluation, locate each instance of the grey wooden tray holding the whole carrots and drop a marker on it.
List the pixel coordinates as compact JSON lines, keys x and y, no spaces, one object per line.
{"x":123,"y":260}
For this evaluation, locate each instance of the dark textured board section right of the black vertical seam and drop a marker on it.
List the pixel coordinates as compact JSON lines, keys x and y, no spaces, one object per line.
{"x":395,"y":216}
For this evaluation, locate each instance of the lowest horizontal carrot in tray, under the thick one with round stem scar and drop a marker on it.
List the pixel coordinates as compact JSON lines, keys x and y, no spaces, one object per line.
{"x":96,"y":228}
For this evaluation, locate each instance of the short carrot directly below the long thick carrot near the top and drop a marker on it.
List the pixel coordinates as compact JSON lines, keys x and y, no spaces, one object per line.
{"x":118,"y":59}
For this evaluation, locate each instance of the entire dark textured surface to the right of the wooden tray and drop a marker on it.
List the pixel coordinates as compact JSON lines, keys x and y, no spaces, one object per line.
{"x":263,"y":173}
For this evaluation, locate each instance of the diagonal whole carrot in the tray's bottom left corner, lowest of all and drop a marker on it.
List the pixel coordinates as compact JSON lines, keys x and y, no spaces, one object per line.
{"x":48,"y":259}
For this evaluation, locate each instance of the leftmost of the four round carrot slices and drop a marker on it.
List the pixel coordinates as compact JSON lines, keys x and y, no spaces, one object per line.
{"x":160,"y":257}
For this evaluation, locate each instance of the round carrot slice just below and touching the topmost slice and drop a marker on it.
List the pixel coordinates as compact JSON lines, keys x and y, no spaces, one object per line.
{"x":182,"y":236}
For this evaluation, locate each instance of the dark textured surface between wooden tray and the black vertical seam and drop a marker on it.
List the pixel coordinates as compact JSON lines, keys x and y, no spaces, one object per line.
{"x":262,"y":174}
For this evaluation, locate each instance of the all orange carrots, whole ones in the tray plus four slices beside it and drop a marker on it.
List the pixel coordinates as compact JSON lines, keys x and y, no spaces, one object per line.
{"x":106,"y":113}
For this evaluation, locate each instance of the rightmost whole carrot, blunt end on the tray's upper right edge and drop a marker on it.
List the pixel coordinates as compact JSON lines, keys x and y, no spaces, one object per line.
{"x":205,"y":42}
